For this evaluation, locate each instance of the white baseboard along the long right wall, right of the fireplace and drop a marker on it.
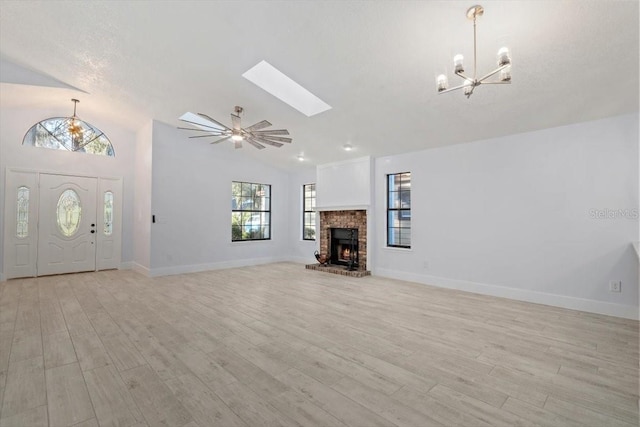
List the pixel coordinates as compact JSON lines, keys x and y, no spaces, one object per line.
{"x":573,"y":303}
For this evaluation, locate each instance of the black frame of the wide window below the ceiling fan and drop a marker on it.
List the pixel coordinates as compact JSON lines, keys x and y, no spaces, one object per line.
{"x":249,"y":199}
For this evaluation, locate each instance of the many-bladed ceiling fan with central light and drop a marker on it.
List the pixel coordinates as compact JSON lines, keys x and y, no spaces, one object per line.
{"x":253,"y":134}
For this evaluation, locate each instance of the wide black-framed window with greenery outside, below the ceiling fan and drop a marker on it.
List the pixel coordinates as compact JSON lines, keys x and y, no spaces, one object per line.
{"x":250,"y":211}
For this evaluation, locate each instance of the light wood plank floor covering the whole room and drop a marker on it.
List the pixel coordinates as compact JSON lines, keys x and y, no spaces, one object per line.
{"x":281,"y":345}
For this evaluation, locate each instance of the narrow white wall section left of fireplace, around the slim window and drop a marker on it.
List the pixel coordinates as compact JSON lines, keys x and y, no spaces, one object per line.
{"x":300,"y":250}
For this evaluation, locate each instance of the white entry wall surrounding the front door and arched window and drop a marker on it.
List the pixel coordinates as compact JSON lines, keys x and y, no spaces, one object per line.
{"x":15,"y":122}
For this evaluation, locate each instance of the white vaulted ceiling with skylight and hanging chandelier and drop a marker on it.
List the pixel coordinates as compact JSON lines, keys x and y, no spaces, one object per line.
{"x":374,"y":62}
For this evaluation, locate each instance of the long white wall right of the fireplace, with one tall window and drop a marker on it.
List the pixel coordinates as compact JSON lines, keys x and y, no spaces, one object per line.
{"x":512,"y":216}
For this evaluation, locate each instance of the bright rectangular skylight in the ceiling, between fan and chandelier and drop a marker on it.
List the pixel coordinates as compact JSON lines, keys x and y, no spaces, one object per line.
{"x":269,"y":78}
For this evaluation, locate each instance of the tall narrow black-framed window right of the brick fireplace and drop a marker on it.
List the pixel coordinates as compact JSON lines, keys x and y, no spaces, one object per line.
{"x":399,"y":210}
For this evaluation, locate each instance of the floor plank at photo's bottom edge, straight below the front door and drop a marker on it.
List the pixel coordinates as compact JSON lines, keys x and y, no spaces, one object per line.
{"x":67,"y":396}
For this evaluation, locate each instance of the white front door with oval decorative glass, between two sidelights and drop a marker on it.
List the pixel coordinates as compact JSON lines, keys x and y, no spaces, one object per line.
{"x":67,"y":224}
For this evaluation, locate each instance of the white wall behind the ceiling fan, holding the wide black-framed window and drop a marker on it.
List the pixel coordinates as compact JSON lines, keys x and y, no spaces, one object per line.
{"x":191,"y":199}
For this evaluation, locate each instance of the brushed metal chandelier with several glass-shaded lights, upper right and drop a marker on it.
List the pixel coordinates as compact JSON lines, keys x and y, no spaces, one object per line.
{"x":470,"y":83}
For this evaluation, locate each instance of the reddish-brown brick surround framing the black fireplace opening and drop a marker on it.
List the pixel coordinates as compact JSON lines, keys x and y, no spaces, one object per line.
{"x":345,"y":219}
